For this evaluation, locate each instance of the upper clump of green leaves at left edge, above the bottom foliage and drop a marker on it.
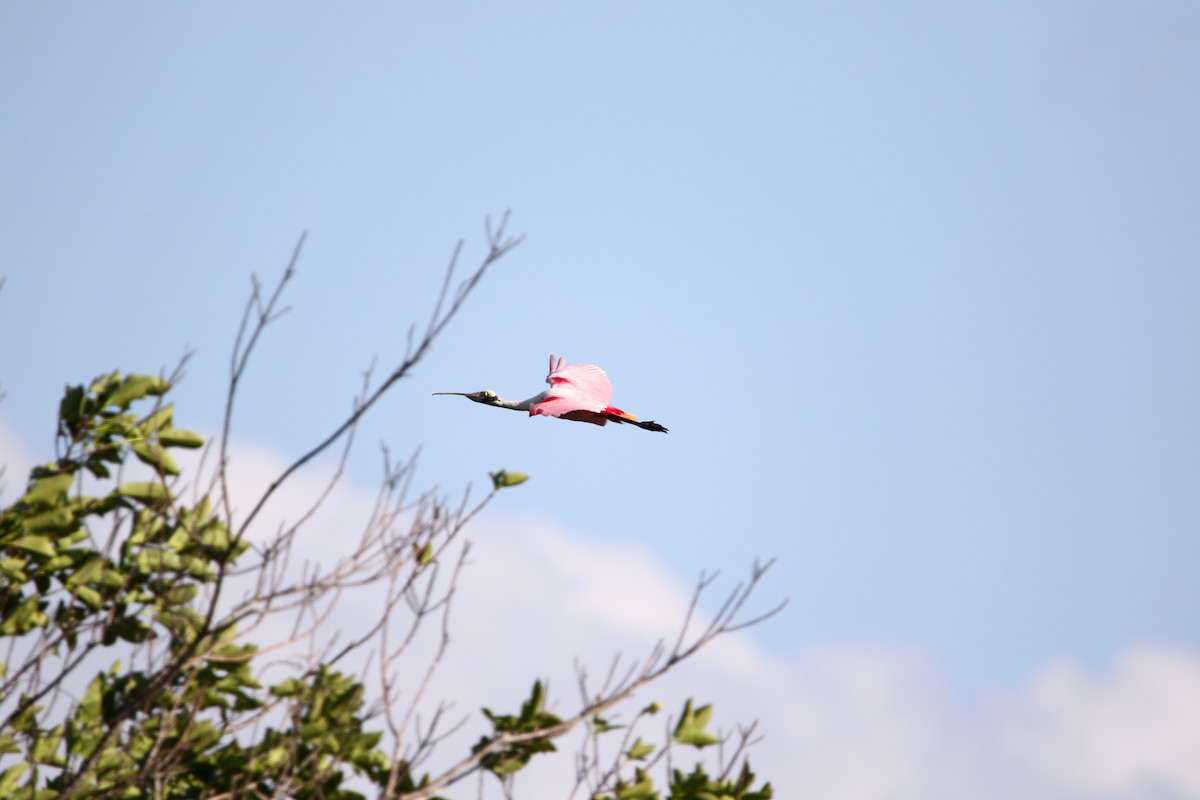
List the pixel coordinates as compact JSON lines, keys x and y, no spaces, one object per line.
{"x":55,"y":575}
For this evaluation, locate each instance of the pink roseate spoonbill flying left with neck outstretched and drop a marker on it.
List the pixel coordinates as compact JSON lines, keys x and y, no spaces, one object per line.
{"x":578,"y":392}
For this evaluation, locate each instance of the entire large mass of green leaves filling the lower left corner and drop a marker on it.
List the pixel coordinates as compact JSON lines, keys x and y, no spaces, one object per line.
{"x":64,"y":597}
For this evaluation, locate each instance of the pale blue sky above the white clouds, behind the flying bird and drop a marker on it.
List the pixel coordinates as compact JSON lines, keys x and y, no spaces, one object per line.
{"x":916,"y":287}
